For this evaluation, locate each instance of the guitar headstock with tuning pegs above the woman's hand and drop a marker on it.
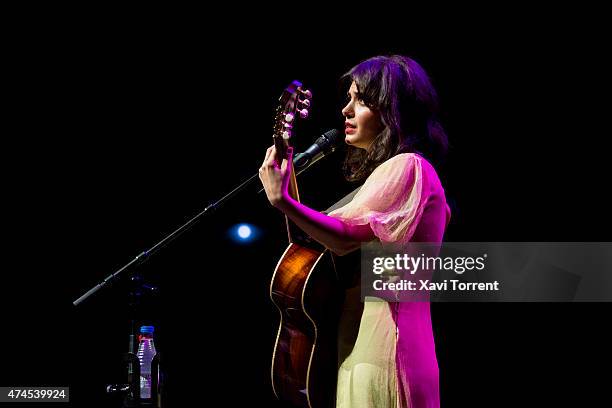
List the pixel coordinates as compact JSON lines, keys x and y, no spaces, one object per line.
{"x":294,"y":103}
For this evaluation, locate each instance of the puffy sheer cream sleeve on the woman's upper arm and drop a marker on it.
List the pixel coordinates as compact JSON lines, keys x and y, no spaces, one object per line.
{"x":391,"y":200}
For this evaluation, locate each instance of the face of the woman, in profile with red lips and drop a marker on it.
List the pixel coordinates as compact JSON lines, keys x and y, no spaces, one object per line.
{"x":362,"y":124}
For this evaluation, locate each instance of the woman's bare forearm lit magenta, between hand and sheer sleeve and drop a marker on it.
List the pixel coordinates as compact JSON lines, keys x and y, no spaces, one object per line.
{"x":335,"y":234}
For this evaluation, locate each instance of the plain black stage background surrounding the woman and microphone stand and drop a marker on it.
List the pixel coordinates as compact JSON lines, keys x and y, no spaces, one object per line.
{"x":119,"y":130}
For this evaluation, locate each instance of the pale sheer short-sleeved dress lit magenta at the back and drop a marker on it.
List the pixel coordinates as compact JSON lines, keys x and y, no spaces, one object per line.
{"x":392,"y":361}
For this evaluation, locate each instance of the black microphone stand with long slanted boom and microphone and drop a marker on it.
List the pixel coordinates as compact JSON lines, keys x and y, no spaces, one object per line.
{"x":133,"y":387}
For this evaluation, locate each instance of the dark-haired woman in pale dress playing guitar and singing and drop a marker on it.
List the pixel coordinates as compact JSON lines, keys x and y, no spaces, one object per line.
{"x":391,"y":126}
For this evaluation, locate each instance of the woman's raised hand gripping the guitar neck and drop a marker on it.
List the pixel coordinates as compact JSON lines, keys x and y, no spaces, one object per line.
{"x":274,"y":179}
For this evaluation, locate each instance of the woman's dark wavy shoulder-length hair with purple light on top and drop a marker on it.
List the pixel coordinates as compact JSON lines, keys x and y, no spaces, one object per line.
{"x":399,"y":89}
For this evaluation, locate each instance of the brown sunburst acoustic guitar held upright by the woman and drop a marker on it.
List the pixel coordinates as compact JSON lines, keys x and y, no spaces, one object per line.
{"x":306,"y":290}
